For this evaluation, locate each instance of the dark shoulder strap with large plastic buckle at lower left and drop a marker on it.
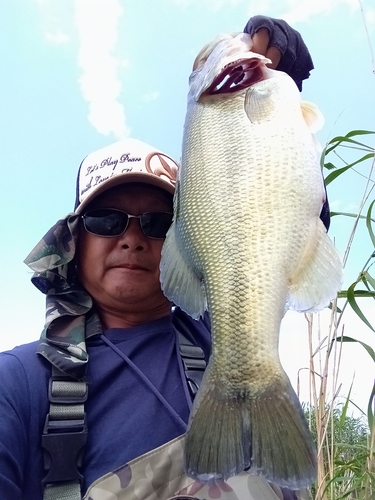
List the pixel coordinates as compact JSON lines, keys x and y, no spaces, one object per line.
{"x":64,"y":437}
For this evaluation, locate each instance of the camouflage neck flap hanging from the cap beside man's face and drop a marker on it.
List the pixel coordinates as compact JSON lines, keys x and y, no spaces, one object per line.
{"x":70,"y":316}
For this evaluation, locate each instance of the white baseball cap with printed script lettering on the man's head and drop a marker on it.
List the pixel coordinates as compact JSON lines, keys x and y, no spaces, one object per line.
{"x":125,"y":161}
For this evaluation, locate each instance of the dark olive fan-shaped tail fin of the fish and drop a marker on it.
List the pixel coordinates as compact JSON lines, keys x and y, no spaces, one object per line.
{"x":267,"y":433}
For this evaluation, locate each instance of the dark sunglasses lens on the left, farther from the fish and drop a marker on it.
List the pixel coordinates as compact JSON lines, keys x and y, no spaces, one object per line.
{"x":105,"y":222}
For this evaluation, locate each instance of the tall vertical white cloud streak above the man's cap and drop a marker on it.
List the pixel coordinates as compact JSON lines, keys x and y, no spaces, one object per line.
{"x":97,"y":24}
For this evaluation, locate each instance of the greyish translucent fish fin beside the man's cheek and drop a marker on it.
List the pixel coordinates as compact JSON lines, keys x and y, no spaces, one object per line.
{"x":179,"y":282}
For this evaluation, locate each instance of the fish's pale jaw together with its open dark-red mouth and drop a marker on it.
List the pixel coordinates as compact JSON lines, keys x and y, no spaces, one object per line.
{"x":226,"y":65}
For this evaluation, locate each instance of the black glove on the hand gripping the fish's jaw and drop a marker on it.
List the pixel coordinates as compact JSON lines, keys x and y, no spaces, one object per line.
{"x":295,"y":57}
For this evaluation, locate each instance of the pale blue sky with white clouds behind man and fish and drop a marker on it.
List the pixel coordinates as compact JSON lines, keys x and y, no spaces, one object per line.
{"x":78,"y":74}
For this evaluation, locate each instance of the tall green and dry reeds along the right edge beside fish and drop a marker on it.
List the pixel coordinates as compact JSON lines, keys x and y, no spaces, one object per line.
{"x":346,"y":444}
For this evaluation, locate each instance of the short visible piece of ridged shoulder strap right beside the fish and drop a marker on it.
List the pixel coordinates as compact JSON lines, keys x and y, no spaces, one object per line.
{"x":193,"y":361}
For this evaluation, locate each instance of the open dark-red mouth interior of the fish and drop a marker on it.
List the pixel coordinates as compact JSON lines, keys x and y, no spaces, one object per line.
{"x":236,"y":76}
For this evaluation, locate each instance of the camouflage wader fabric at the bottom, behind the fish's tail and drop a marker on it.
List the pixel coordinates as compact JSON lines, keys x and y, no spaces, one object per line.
{"x":158,"y":475}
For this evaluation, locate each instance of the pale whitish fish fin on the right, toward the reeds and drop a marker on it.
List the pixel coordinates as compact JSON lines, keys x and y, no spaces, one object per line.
{"x":318,"y":277}
